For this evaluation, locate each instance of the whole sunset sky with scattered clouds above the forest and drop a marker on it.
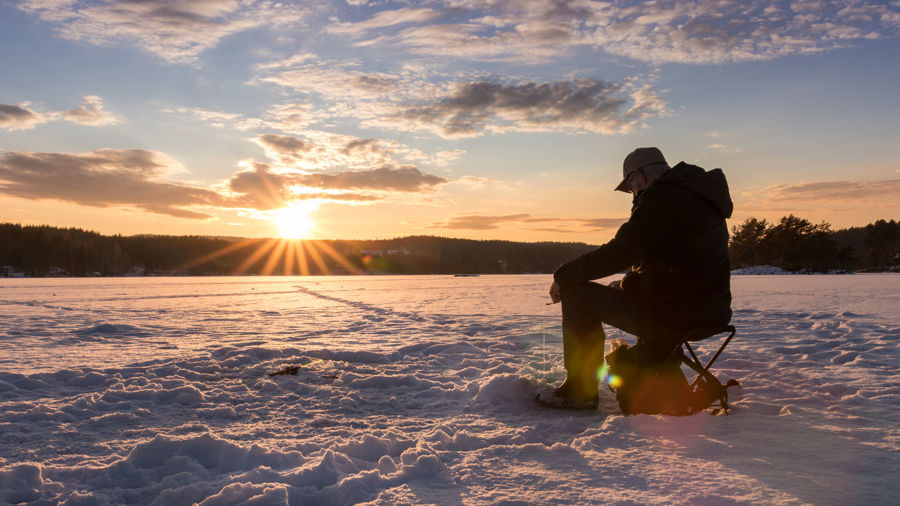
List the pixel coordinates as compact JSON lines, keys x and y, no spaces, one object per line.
{"x":359,"y":119}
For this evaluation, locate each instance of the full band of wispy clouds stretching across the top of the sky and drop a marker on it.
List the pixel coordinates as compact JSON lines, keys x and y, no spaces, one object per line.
{"x":529,"y":31}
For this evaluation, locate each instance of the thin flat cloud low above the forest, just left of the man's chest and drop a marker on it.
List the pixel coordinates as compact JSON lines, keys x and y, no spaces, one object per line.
{"x":562,"y":225}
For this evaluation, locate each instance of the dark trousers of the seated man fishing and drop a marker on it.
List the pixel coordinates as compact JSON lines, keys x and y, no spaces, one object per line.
{"x":586,"y":307}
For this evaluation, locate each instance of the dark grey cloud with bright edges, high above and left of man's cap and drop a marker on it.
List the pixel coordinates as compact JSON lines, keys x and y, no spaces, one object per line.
{"x":582,"y":105}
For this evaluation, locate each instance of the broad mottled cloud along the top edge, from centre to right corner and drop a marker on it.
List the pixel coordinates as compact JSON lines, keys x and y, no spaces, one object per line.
{"x":684,"y":31}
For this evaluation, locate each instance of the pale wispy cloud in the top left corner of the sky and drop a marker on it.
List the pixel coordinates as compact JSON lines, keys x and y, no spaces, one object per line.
{"x":175,"y":31}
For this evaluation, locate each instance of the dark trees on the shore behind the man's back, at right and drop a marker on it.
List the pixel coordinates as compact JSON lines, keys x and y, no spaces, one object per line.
{"x":796,"y":244}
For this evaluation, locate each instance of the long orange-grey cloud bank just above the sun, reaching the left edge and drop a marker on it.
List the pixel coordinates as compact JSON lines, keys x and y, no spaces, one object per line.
{"x":138,"y":178}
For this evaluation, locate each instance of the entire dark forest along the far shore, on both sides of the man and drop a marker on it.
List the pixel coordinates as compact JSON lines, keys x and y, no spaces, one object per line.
{"x":793,"y":244}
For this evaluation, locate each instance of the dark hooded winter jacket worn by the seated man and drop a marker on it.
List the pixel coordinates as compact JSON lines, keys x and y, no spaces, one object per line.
{"x":676,"y":242}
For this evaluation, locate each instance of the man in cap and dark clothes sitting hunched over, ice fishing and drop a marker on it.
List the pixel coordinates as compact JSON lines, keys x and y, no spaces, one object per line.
{"x":676,"y":243}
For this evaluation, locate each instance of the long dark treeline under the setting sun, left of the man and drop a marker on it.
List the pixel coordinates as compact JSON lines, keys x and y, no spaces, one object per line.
{"x":48,"y":251}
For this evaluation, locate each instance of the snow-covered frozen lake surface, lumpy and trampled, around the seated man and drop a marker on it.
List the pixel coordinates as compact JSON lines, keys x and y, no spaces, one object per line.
{"x":420,"y":390}
